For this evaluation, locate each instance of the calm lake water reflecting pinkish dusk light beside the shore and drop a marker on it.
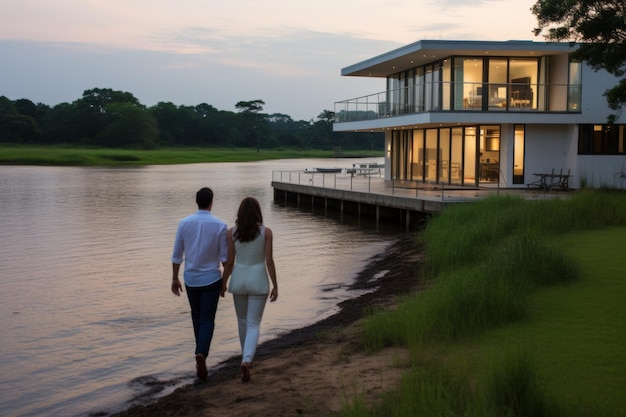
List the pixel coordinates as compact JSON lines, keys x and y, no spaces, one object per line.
{"x":86,"y":313}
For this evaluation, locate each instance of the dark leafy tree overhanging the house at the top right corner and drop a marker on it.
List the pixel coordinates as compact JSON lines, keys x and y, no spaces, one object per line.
{"x":600,"y":28}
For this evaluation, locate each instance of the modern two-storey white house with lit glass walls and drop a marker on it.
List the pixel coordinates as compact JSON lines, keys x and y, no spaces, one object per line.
{"x":484,"y":113}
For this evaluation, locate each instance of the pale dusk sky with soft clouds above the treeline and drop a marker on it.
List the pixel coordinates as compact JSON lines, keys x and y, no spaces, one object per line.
{"x":288,"y":53}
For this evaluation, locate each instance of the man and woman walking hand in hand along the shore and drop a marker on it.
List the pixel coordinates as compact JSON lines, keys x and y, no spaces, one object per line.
{"x":212,"y":254}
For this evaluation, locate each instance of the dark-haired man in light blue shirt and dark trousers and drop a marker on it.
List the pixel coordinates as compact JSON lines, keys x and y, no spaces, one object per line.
{"x":202,"y":239}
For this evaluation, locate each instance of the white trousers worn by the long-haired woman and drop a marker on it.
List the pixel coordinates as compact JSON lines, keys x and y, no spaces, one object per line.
{"x":249,"y":309}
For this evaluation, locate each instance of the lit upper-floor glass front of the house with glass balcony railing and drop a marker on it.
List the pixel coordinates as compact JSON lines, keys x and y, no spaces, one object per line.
{"x":469,"y":83}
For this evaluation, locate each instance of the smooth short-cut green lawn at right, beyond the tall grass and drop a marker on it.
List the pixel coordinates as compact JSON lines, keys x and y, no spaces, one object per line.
{"x":575,"y":334}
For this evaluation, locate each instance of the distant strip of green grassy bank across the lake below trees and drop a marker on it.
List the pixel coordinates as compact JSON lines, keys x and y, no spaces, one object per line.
{"x":61,"y":156}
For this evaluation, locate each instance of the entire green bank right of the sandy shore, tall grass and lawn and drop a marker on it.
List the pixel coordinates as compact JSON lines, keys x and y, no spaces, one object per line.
{"x":523,"y":315}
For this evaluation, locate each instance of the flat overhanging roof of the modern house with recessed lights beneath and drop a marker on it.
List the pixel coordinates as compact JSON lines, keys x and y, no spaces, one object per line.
{"x":427,"y":51}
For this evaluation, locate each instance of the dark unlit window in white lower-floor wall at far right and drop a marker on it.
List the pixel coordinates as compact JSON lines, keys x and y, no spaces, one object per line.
{"x":601,"y":140}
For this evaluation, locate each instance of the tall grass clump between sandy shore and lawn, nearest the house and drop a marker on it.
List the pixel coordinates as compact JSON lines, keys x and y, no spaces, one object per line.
{"x":482,"y":262}
